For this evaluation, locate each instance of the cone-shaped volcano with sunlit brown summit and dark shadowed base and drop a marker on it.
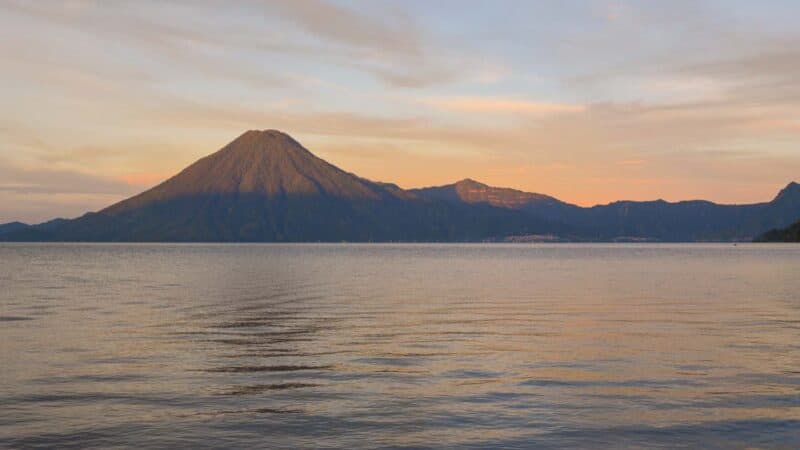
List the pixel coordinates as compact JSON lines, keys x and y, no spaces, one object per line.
{"x":266,"y":187}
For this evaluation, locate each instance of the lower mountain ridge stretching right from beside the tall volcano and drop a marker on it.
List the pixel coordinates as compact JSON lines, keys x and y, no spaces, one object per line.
{"x":696,"y":220}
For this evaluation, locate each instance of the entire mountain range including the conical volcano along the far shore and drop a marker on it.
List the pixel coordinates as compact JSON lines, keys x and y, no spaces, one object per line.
{"x":266,"y":187}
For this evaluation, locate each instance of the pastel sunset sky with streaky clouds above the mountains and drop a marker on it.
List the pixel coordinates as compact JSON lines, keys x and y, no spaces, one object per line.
{"x":587,"y":101}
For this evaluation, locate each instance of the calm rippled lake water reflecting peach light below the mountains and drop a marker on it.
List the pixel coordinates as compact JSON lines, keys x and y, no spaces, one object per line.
{"x":286,"y":346}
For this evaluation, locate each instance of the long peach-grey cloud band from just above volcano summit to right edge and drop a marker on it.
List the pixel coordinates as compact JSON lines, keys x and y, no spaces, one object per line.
{"x":544,"y":132}
